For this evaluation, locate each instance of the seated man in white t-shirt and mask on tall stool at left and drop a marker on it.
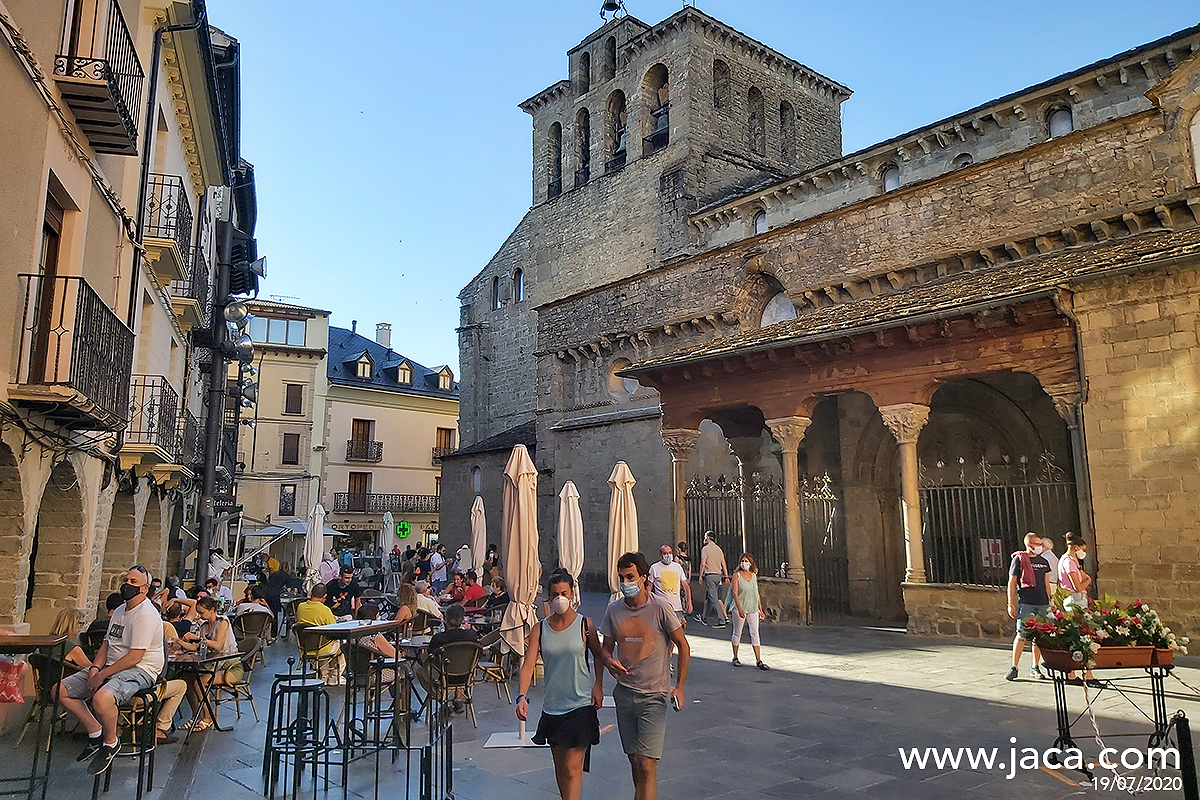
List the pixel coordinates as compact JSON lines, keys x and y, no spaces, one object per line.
{"x":130,"y":660}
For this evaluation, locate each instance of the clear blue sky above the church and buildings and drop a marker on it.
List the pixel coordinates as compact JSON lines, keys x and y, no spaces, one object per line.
{"x":392,"y":160}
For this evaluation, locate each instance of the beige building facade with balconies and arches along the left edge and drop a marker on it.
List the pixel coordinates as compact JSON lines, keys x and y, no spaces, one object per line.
{"x":122,"y":146}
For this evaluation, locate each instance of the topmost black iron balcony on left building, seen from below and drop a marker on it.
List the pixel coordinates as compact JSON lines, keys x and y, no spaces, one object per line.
{"x":100,"y":76}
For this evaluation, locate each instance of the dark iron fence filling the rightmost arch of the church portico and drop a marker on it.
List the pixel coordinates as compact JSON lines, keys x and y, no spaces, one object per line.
{"x":975,"y":516}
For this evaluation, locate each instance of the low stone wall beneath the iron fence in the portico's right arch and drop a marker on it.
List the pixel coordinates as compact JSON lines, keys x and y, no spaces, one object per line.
{"x":957,"y":610}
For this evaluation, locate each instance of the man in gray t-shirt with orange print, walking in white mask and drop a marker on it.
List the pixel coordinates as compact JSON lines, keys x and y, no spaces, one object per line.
{"x":640,"y":628}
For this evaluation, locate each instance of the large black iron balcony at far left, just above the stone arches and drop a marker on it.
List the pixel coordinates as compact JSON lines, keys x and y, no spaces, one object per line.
{"x":75,"y":358}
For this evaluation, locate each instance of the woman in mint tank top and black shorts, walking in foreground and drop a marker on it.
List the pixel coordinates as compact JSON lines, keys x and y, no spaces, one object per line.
{"x":573,"y":696}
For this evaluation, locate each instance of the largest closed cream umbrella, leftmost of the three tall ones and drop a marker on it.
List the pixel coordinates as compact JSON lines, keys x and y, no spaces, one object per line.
{"x":520,"y":543}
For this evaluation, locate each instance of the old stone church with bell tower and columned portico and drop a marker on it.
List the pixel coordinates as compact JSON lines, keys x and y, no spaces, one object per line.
{"x":971,"y":330}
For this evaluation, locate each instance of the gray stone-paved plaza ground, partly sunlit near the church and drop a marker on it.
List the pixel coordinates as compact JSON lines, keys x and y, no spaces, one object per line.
{"x":826,"y":721}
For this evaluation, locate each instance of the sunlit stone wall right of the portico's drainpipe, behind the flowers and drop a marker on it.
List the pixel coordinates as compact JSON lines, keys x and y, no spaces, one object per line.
{"x":1143,"y":429}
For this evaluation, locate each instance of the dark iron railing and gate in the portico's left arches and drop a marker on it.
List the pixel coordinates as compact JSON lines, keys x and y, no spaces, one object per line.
{"x":717,"y":506}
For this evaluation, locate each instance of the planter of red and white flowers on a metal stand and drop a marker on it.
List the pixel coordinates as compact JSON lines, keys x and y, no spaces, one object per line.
{"x":1106,"y":634}
